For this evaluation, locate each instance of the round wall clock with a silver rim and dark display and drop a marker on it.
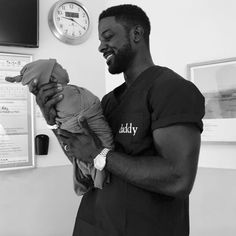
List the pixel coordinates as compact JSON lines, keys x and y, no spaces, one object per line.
{"x":69,"y":21}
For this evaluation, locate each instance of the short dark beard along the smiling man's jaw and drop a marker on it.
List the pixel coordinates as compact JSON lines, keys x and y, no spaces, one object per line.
{"x":122,"y":59}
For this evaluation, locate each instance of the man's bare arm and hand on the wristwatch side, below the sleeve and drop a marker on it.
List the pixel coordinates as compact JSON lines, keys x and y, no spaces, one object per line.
{"x":171,"y":172}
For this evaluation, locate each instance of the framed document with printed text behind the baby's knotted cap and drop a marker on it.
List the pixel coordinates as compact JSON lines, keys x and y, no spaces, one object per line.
{"x":16,"y":116}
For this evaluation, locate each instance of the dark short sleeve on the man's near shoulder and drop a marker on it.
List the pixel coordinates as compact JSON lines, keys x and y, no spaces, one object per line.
{"x":175,"y":100}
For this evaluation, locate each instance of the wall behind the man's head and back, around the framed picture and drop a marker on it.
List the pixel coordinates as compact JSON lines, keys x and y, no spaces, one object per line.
{"x":185,"y":32}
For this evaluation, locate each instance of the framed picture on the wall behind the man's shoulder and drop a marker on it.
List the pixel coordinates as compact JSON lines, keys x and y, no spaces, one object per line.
{"x":217,"y":82}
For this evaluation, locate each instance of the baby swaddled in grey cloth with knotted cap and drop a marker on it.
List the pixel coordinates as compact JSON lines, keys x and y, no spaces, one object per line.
{"x":77,"y":102}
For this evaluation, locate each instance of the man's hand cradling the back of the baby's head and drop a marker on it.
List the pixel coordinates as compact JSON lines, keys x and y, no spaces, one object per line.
{"x":47,"y":97}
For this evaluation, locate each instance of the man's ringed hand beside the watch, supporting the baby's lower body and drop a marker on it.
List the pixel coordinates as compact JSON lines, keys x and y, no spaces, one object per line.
{"x":84,"y":145}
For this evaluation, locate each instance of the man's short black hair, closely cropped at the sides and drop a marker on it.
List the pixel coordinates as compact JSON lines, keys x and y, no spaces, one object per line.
{"x":129,"y":15}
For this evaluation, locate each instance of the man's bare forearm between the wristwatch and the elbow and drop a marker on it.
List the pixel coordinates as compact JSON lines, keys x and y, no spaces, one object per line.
{"x":152,"y":173}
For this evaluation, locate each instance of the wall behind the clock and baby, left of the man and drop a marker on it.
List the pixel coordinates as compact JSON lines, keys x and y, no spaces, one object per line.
{"x":41,"y":201}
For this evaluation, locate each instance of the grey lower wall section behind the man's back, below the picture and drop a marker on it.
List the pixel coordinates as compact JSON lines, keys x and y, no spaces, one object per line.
{"x":212,"y":203}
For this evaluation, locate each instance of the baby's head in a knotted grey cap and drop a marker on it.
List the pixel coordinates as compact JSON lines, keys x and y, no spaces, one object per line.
{"x":43,"y":70}
